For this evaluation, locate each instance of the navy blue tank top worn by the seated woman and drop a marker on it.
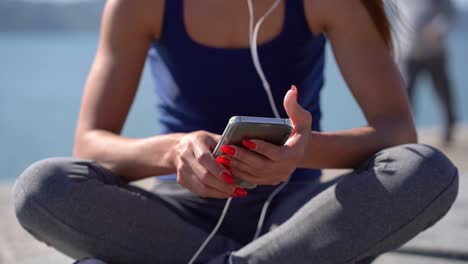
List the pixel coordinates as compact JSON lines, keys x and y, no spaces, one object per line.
{"x":200,"y":87}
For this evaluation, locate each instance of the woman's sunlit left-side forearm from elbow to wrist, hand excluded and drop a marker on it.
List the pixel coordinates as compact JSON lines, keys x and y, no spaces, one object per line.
{"x":131,"y":158}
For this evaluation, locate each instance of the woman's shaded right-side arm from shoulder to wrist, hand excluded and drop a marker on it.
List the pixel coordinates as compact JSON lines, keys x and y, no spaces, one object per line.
{"x":369,"y":71}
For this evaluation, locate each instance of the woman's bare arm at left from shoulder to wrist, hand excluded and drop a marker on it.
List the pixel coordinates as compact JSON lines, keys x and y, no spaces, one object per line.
{"x":128,"y":27}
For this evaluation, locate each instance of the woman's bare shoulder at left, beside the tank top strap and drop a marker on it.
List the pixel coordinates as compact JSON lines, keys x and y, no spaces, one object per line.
{"x":138,"y":15}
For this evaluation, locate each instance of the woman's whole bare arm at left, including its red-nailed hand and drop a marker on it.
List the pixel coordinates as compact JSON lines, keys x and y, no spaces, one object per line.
{"x":128,"y":28}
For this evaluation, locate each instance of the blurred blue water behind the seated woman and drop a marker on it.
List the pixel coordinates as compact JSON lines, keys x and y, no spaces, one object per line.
{"x":41,"y":80}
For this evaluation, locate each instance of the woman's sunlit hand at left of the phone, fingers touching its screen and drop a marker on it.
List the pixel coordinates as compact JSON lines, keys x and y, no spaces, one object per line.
{"x":198,"y":171}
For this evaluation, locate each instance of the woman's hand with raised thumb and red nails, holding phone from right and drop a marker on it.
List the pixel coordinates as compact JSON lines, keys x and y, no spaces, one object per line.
{"x":266,"y":164}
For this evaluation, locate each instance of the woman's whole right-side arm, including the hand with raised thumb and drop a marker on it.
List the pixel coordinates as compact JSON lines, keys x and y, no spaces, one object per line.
{"x":367,"y":67}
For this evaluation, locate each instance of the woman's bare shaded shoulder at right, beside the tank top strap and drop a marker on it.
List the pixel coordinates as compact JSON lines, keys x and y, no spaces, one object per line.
{"x":323,"y":14}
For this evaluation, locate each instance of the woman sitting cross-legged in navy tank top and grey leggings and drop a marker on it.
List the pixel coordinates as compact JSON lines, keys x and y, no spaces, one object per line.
{"x":84,"y":207}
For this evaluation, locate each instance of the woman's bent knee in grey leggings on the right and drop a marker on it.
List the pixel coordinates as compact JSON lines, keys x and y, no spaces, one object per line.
{"x":425,"y":173}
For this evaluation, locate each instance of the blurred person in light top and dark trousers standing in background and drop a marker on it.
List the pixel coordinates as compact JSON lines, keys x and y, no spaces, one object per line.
{"x":423,"y":43}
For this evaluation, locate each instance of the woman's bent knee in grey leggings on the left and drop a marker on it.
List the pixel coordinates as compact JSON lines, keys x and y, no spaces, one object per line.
{"x":38,"y":188}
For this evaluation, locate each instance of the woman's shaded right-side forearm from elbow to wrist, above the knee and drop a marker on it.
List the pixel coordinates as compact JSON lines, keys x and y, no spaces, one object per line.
{"x":348,"y":149}
